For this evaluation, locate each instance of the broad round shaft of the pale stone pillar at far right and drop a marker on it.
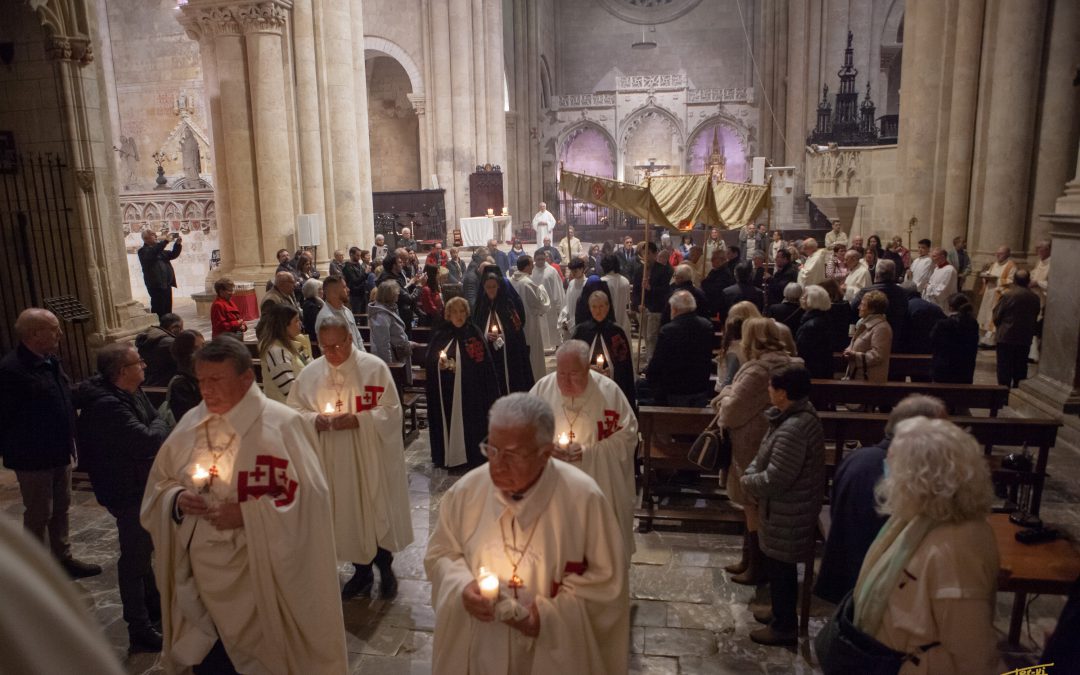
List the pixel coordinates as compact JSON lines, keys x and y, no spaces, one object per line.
{"x":1006,"y":133}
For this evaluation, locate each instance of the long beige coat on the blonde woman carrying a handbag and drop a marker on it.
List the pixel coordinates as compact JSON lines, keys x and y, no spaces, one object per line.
{"x":742,"y":407}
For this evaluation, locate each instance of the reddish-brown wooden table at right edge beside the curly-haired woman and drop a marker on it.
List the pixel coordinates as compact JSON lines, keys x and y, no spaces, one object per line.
{"x":1047,"y":569}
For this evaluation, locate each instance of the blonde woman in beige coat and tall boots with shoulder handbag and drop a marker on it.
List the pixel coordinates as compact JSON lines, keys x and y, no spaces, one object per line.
{"x":741,"y":410}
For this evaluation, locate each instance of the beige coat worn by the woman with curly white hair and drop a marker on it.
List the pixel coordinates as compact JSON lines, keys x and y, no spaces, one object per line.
{"x":947,"y":595}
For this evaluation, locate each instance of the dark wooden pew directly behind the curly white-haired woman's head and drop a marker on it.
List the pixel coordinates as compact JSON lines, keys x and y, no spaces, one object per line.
{"x":991,"y":433}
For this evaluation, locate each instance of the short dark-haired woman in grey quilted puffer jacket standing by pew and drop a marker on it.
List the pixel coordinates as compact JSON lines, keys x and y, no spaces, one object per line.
{"x":788,"y":478}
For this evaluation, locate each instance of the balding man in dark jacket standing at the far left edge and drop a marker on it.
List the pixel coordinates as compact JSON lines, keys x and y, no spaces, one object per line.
{"x":38,"y":440}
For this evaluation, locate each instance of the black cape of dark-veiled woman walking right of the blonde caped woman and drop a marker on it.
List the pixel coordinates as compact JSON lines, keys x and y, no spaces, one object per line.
{"x":511,"y":362}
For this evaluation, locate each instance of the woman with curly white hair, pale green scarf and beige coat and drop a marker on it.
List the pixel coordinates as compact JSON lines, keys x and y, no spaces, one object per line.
{"x":928,"y":584}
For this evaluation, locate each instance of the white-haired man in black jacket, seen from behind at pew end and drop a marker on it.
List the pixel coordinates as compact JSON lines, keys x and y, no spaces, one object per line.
{"x":679,"y":372}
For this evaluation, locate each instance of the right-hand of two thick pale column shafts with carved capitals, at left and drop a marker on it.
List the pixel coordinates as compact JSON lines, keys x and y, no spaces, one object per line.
{"x":263,"y":26}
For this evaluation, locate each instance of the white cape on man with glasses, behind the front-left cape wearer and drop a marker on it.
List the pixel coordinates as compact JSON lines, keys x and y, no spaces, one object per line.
{"x":366,"y":467}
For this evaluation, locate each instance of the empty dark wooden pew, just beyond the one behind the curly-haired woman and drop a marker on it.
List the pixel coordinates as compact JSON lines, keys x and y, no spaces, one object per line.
{"x":827,"y":394}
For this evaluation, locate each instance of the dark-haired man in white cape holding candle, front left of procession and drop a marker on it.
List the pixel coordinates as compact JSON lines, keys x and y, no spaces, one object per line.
{"x":240,"y":516}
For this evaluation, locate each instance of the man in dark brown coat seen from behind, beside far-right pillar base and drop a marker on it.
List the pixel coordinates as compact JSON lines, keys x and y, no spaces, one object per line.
{"x":1016,"y":318}
